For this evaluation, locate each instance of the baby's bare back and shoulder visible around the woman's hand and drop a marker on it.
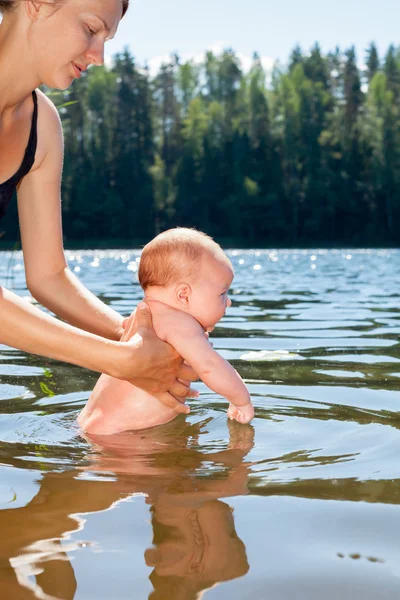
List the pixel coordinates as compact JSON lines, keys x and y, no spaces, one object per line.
{"x":117,"y":405}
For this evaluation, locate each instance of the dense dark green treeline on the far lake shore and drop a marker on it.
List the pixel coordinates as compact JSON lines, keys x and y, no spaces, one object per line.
{"x":312,"y":158}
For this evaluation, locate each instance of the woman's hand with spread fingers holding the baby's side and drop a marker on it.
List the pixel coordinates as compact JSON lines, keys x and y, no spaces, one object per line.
{"x":158,"y":368}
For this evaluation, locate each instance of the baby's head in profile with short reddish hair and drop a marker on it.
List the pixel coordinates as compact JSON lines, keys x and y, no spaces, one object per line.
{"x":187,"y":270}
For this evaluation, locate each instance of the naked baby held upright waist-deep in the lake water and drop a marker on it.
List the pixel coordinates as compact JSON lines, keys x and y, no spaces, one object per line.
{"x":186,"y":277}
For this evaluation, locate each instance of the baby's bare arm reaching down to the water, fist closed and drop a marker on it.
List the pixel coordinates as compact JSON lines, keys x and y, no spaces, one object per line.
{"x":191,"y":343}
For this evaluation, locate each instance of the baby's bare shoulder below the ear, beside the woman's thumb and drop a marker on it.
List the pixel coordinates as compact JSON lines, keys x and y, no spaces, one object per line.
{"x":168,"y":321}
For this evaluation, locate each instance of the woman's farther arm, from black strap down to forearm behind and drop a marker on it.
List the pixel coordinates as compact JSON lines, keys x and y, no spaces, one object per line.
{"x":39,"y":206}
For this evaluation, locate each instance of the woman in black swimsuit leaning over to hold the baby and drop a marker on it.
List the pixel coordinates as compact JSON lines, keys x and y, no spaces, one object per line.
{"x":53,"y":42}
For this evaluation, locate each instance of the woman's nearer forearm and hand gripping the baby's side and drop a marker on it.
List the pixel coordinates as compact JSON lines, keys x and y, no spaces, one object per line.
{"x":145,"y":361}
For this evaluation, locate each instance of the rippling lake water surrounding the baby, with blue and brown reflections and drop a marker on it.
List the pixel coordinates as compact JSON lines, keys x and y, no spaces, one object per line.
{"x":303,"y":504}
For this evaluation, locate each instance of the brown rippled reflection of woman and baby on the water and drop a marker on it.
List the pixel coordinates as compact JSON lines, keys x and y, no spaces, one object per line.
{"x":195,"y":544}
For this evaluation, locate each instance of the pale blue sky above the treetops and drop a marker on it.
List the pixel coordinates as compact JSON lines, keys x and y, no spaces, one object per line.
{"x":153,"y":29}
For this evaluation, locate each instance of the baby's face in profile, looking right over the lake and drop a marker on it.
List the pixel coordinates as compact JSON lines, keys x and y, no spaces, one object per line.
{"x":209,"y":298}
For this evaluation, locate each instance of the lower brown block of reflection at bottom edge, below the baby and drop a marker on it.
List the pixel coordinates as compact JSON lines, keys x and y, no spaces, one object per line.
{"x":195,"y":547}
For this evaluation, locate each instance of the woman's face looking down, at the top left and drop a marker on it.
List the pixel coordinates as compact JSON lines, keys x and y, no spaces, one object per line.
{"x":66,"y":41}
